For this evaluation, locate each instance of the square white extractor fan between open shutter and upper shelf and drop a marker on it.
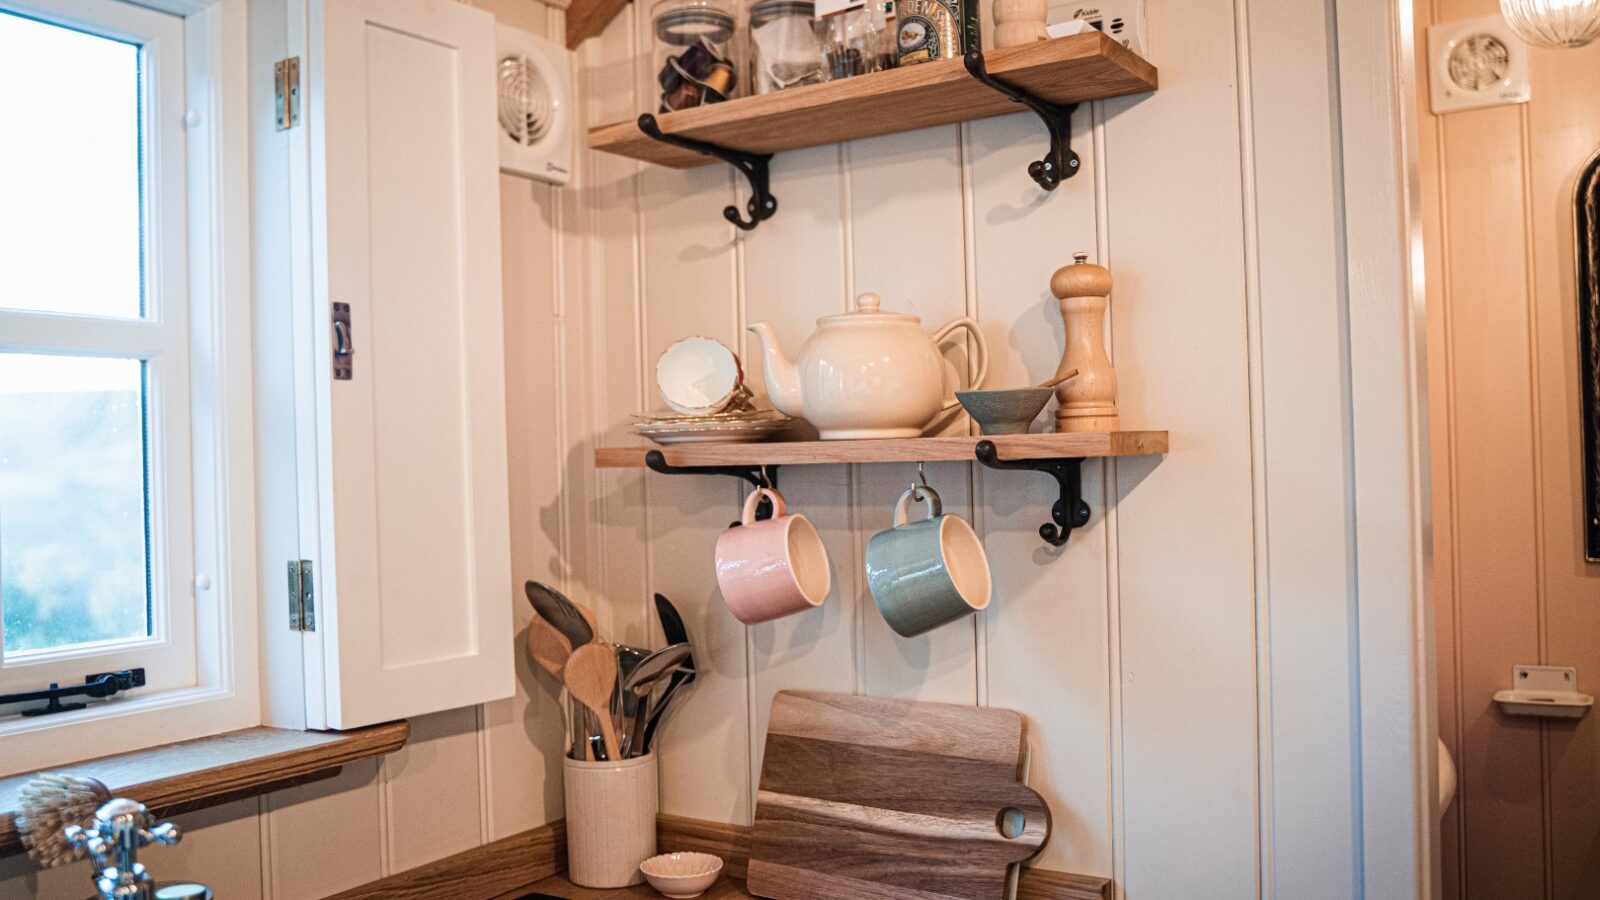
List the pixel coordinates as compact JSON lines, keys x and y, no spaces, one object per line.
{"x":535,"y":106}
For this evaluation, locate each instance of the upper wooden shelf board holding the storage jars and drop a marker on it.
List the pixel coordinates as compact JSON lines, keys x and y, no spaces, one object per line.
{"x":1063,"y":71}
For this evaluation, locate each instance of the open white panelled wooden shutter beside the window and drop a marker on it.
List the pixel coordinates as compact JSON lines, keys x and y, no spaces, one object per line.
{"x":414,"y":568}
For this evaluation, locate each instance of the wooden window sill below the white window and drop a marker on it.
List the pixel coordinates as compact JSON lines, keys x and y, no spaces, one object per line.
{"x":202,"y":773}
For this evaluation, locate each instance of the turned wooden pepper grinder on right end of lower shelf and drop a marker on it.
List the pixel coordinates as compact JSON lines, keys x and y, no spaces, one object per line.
{"x":1089,"y":403}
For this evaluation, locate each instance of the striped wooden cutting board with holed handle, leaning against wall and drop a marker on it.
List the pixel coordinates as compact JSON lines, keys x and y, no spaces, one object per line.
{"x":889,"y":800}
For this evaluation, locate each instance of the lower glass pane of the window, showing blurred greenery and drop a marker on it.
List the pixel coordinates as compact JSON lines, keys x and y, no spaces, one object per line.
{"x":74,"y":539}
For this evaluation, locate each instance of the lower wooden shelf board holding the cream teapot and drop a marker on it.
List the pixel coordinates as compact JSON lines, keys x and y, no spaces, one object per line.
{"x":1081,"y":446}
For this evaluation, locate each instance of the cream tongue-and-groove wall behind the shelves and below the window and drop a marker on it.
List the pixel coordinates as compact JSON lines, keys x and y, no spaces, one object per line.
{"x":1190,"y":662}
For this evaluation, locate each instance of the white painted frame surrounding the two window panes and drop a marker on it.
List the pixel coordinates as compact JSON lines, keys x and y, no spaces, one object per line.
{"x":218,"y":448}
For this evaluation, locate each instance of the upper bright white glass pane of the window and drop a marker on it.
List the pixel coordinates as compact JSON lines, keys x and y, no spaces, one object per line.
{"x":71,"y":225}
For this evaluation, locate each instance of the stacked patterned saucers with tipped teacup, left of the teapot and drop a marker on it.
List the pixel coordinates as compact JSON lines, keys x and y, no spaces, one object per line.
{"x":705,"y":385}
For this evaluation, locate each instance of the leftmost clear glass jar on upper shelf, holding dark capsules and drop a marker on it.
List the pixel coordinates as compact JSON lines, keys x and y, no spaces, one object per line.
{"x":694,"y":52}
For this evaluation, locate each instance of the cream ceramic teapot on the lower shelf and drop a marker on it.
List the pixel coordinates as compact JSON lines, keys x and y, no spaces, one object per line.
{"x":866,"y":374}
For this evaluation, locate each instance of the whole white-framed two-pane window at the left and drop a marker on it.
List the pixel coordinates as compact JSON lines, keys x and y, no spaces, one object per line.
{"x":111,"y":454}
